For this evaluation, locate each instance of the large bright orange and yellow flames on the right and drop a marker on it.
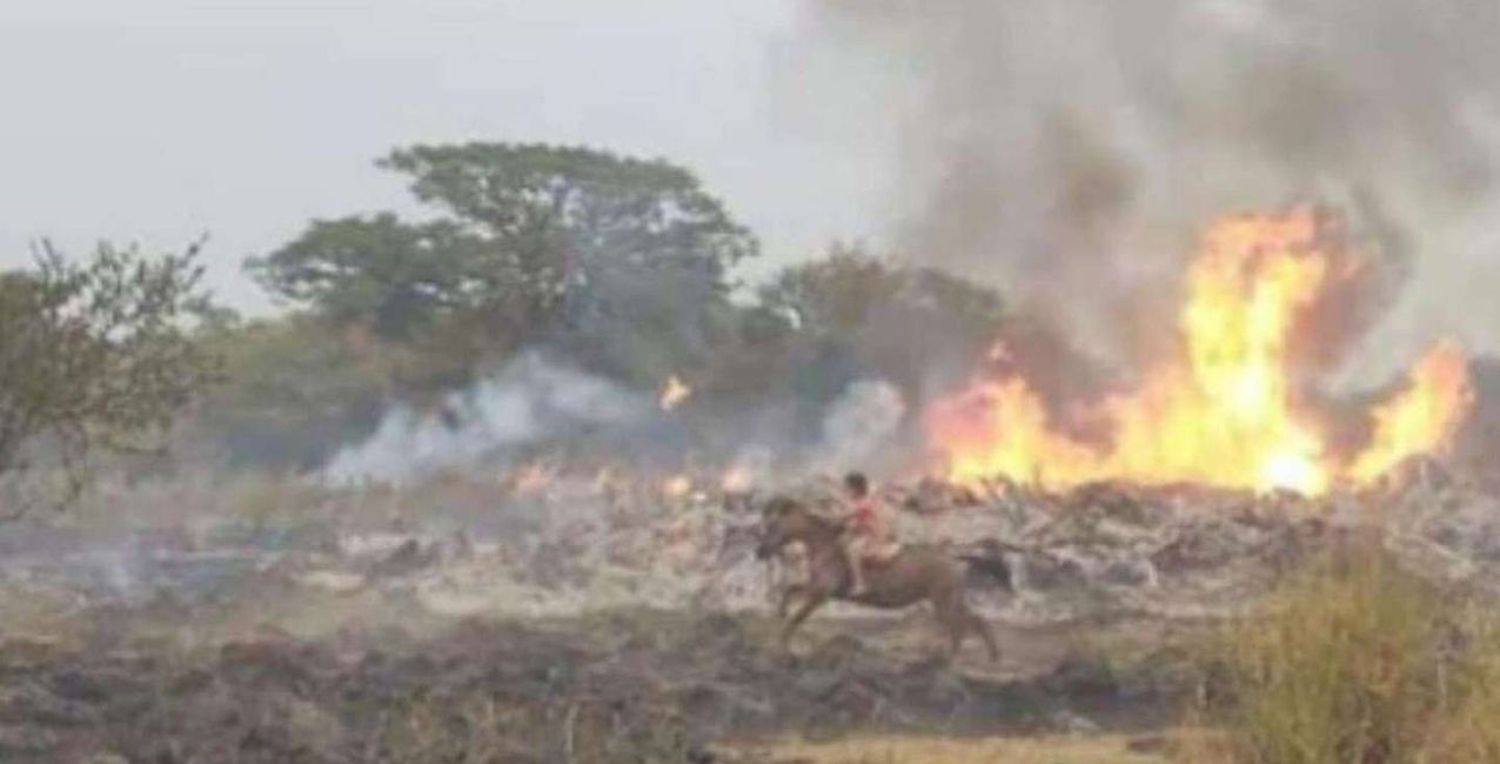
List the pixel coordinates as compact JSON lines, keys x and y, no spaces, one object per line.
{"x":1228,"y":412}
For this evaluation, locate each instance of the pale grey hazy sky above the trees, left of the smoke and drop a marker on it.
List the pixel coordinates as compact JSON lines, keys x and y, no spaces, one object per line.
{"x":157,"y":121}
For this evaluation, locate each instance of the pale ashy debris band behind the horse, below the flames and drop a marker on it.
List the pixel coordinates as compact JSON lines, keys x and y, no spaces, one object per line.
{"x":557,"y":544}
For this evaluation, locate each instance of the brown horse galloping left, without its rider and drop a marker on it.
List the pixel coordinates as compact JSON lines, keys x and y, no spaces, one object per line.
{"x":916,"y":574}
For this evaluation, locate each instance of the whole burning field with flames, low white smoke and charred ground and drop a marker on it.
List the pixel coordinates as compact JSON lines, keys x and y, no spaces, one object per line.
{"x":553,"y":567}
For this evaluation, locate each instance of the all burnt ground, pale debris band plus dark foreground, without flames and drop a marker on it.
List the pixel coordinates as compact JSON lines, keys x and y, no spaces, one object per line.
{"x":605,"y":612}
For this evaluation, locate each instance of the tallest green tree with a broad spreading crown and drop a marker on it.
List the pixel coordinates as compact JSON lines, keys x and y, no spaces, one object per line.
{"x":530,"y":242}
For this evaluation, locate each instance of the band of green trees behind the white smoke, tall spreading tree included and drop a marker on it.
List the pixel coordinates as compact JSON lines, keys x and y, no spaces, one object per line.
{"x":622,"y":265}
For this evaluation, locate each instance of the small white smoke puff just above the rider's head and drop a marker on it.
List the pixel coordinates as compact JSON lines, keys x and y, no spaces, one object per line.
{"x":860,"y":424}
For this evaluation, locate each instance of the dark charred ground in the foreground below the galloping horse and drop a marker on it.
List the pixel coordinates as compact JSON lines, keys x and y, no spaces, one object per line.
{"x":626,"y":687}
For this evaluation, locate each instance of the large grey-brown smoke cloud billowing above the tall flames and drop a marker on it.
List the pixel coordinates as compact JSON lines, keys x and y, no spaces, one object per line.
{"x":1073,"y":148}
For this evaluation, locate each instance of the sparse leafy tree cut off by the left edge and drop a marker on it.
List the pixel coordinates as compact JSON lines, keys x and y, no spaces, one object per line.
{"x":97,"y":356}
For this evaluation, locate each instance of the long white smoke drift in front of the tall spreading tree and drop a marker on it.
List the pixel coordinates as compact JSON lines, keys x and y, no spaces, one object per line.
{"x":529,"y":400}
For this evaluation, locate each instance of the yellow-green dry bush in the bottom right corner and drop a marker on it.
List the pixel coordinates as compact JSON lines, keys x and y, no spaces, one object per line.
{"x":1358,"y":661}
